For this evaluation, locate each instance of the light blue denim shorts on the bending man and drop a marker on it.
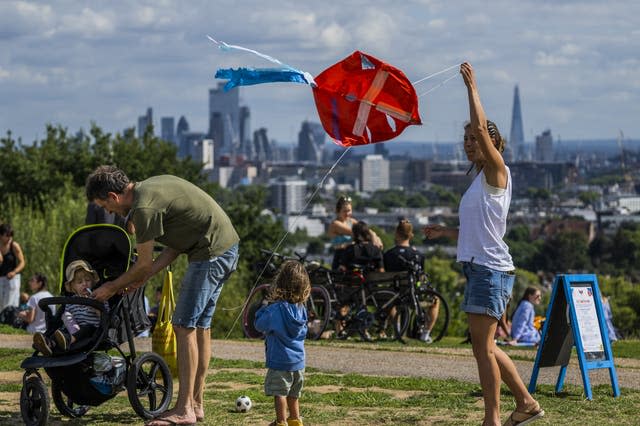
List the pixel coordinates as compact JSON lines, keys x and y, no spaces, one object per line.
{"x":201,"y":288}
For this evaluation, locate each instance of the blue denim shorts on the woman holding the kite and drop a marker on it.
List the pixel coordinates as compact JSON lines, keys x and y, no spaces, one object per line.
{"x":487,"y":291}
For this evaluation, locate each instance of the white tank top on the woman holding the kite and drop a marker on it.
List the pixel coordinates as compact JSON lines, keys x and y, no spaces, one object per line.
{"x":483,"y":222}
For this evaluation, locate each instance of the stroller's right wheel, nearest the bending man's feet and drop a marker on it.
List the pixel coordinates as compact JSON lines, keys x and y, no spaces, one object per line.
{"x":149,"y":385}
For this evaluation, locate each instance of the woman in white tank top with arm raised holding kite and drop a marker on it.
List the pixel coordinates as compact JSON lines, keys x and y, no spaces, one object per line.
{"x":486,"y":261}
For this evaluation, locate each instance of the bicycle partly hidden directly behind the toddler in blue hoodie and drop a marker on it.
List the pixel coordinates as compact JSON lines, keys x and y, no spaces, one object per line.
{"x":318,"y":304}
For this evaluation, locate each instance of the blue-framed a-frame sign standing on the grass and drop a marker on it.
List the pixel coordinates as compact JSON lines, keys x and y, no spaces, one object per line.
{"x":575,"y":318}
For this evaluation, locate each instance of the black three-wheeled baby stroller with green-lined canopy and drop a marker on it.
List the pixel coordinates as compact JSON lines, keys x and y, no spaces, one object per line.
{"x":87,"y":375}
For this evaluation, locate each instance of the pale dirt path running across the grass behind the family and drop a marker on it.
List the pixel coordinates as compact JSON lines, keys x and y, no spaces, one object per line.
{"x":370,"y":359}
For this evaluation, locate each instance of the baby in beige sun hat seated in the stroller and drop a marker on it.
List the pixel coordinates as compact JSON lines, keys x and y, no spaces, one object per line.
{"x":80,"y":321}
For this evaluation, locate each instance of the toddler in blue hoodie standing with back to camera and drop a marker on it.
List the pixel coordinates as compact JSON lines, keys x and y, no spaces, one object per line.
{"x":284,"y":324}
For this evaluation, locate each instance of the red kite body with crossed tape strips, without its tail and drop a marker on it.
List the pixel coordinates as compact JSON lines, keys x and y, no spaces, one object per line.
{"x":362,"y":100}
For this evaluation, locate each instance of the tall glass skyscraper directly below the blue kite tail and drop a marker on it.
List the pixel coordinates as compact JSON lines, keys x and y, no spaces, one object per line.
{"x":224,"y":119}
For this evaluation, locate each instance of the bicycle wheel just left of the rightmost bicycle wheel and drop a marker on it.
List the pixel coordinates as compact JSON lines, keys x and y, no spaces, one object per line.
{"x":388,"y":317}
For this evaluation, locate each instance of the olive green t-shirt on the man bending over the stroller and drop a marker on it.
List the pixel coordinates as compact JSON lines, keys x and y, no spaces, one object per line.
{"x":178,"y":214}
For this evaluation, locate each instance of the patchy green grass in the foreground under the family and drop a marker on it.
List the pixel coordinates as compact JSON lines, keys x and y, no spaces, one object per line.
{"x":345,"y":399}
